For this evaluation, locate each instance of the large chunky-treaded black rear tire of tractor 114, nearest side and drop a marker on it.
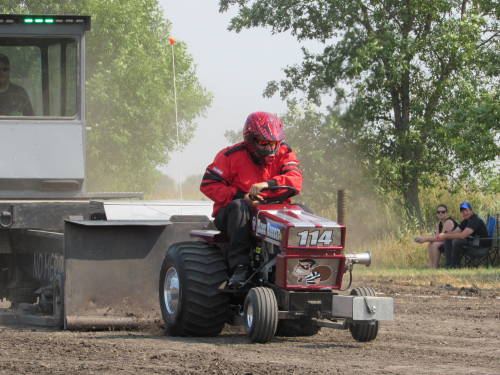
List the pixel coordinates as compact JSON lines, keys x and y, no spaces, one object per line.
{"x":191,"y":303}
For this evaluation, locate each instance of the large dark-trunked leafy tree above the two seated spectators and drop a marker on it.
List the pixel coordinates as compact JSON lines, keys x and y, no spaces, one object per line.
{"x":420,"y":75}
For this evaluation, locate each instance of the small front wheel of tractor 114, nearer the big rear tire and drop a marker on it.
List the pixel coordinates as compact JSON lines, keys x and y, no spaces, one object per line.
{"x":260,"y":314}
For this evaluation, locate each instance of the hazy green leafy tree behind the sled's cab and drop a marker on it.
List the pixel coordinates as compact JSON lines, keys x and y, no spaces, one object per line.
{"x":130,"y":102}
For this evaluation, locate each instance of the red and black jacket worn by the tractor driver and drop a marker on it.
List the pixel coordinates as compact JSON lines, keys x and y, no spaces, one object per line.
{"x":234,"y":171}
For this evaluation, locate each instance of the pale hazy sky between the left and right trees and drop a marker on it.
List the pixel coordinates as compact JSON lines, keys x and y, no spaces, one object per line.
{"x":234,"y":67}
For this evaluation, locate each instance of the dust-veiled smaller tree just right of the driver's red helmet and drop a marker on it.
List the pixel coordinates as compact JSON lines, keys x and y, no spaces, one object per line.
{"x":329,"y":163}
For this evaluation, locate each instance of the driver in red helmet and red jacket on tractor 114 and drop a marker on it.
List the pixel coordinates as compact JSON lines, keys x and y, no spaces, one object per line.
{"x":236,"y":178}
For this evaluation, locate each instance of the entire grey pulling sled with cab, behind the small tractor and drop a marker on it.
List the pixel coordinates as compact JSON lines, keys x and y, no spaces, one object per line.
{"x":54,"y":233}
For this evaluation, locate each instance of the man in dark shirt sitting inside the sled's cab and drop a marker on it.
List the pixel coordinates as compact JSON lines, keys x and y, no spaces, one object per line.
{"x":14,"y":101}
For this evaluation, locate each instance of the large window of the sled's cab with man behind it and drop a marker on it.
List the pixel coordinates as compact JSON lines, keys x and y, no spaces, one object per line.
{"x":39,"y":77}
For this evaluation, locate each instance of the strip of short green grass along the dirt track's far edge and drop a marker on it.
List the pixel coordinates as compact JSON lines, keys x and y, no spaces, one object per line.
{"x":482,"y":278}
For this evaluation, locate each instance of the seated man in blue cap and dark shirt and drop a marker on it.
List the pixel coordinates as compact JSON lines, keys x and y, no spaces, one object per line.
{"x":473,"y":229}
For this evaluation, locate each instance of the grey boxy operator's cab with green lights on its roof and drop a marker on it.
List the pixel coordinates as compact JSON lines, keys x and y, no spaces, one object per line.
{"x":42,"y":105}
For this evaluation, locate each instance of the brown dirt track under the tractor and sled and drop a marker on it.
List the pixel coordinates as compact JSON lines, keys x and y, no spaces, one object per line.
{"x":437,"y":331}
